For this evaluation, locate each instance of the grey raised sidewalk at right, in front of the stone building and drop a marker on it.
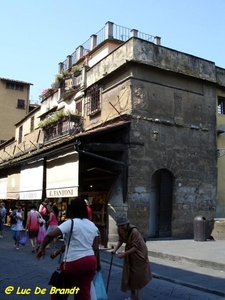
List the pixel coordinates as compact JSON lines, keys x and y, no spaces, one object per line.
{"x":199,"y":265}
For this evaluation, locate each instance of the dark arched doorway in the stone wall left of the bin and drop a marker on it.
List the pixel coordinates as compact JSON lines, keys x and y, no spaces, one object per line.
{"x":161,"y":202}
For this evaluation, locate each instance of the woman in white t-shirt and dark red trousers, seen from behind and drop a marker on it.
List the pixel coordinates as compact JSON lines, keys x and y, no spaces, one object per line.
{"x":82,"y":256}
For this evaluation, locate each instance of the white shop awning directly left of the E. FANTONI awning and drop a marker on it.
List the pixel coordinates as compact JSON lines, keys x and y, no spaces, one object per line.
{"x":31,"y":181}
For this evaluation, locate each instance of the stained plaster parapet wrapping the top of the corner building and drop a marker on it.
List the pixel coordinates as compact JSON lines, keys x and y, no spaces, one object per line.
{"x":154,"y":55}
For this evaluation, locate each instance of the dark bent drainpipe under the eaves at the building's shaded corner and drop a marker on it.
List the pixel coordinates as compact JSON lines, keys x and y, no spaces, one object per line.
{"x":76,"y":146}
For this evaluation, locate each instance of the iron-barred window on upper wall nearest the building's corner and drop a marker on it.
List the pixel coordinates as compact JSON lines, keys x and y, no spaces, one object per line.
{"x":93,"y":100}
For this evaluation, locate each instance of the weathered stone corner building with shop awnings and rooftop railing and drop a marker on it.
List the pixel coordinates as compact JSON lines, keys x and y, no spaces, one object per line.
{"x":131,"y":126}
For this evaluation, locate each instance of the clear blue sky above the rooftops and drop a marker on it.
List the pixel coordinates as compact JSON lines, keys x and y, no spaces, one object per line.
{"x":37,"y":35}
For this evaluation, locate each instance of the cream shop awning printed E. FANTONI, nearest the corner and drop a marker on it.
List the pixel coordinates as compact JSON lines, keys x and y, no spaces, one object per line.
{"x":62,"y":175}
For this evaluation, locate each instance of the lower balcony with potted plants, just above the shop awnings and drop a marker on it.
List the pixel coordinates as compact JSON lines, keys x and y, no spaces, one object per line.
{"x":67,"y":125}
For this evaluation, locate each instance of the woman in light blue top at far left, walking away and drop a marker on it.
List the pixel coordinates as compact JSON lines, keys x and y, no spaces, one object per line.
{"x":17,"y":217}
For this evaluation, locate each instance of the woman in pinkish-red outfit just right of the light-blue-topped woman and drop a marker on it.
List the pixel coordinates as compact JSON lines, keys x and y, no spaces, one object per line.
{"x":32,"y":225}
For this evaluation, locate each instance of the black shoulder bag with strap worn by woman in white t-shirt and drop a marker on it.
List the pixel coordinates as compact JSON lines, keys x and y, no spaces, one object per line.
{"x":58,"y":278}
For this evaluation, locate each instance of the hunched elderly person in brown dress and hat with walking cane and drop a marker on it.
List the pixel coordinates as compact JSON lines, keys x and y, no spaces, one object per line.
{"x":136,"y":267}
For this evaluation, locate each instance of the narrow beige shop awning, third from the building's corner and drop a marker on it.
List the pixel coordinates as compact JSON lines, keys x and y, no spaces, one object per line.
{"x":13,"y":184}
